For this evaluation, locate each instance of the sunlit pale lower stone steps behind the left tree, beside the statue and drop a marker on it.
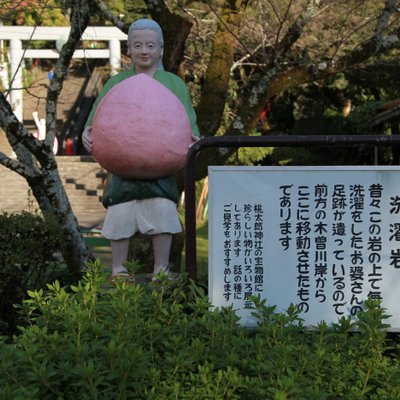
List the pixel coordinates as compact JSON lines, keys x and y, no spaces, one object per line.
{"x":83,"y":180}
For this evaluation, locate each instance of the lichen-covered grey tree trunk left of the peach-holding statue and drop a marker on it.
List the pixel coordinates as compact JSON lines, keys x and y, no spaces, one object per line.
{"x":35,"y":159}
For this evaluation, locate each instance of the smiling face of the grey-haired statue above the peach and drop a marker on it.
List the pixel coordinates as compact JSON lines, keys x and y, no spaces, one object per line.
{"x":145,"y":51}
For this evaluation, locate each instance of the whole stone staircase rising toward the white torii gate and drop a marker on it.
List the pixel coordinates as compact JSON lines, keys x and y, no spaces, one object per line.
{"x":82,"y":177}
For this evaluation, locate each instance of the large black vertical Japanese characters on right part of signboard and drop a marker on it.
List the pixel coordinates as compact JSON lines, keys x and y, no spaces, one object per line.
{"x":336,"y":232}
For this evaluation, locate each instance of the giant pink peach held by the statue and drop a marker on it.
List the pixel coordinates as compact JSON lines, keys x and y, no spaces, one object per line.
{"x":141,"y":130}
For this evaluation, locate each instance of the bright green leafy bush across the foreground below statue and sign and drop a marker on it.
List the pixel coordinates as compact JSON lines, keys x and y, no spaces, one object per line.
{"x":94,"y":341}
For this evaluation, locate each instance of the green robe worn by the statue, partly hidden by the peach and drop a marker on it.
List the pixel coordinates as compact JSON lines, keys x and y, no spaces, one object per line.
{"x":120,"y":190}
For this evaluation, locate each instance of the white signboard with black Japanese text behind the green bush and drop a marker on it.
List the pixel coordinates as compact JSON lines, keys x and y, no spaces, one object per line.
{"x":323,"y":238}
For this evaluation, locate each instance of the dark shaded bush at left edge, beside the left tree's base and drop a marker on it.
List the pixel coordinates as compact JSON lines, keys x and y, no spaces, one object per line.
{"x":29,"y":258}
